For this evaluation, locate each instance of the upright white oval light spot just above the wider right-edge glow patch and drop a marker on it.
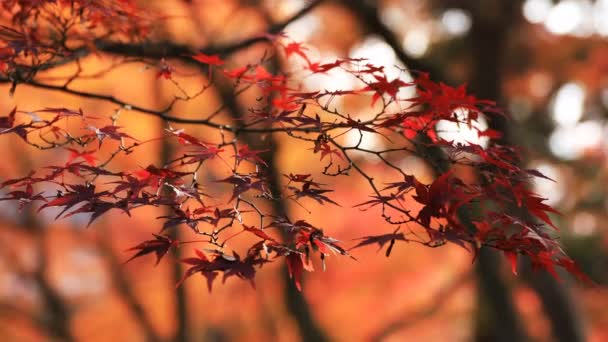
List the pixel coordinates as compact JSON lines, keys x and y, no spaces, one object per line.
{"x":569,"y":104}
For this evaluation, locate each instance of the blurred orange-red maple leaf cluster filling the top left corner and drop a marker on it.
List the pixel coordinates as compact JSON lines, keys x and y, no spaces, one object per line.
{"x":30,"y":44}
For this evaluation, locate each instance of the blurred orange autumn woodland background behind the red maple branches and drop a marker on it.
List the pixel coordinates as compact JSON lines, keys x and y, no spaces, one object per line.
{"x":544,"y":61}
